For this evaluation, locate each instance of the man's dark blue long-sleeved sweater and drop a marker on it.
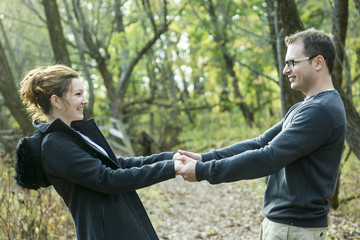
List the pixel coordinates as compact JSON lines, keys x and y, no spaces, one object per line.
{"x":301,"y":154}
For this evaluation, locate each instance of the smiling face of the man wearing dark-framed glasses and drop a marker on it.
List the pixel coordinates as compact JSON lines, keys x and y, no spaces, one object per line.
{"x":300,"y":72}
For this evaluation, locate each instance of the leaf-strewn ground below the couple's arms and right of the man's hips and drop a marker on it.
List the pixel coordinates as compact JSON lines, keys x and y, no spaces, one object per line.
{"x":183,"y":211}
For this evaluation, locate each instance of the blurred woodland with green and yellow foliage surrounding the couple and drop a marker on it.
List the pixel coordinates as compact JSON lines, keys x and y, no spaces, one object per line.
{"x":169,"y":74}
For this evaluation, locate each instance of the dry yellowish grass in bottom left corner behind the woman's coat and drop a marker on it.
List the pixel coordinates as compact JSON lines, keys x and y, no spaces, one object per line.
{"x":29,"y":214}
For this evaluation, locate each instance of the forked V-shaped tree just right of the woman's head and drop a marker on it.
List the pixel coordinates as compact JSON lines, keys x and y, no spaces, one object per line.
{"x":100,"y":53}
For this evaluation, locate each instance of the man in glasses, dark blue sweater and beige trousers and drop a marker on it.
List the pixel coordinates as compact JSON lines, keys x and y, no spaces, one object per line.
{"x":301,"y":154}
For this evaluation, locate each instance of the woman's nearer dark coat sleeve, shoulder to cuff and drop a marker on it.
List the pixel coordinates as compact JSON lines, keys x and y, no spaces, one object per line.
{"x":69,"y":162}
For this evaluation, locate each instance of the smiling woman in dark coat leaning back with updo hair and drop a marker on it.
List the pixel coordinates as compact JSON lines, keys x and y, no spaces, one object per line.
{"x":98,"y":188}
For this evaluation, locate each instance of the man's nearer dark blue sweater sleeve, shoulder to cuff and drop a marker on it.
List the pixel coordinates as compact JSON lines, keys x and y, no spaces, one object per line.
{"x":307,"y":131}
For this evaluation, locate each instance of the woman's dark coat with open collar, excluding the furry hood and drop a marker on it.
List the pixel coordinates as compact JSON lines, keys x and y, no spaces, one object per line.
{"x":100,"y":190}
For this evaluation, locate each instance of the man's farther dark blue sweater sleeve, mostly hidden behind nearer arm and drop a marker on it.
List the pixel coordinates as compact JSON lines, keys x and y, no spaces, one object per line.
{"x":240,"y":147}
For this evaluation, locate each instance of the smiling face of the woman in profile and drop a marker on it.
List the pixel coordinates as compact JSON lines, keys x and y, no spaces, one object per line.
{"x":73,"y":102}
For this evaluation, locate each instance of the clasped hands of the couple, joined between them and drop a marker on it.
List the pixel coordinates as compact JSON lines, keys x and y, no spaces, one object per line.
{"x":185,"y":164}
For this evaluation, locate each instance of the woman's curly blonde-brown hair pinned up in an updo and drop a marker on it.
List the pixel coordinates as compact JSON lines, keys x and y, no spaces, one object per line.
{"x":40,"y":84}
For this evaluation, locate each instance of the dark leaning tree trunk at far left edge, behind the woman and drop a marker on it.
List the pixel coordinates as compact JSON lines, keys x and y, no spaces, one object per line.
{"x":10,"y":93}
